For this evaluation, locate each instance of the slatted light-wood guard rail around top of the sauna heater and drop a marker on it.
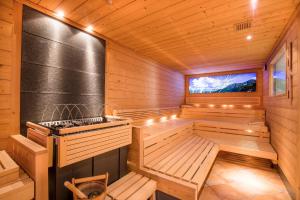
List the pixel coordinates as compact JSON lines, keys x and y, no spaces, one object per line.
{"x":76,"y":147}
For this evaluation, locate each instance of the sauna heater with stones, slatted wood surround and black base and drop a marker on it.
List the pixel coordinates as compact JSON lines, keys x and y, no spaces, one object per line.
{"x":82,"y":147}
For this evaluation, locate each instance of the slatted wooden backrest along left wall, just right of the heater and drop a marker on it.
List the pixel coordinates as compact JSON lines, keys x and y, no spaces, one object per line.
{"x":140,"y":116}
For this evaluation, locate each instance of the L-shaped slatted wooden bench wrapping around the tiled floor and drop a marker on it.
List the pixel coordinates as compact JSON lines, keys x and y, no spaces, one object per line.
{"x":180,"y":154}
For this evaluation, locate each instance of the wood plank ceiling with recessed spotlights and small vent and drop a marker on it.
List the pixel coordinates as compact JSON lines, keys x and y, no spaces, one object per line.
{"x":188,"y":35}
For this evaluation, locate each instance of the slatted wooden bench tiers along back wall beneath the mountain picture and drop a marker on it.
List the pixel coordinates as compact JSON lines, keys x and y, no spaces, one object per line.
{"x":239,"y":130}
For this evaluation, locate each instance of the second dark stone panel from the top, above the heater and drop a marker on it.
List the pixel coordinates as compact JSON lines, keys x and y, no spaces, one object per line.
{"x":53,"y":54}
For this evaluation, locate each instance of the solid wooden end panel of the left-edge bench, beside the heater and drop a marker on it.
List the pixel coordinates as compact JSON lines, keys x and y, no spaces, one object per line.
{"x":32,"y":182}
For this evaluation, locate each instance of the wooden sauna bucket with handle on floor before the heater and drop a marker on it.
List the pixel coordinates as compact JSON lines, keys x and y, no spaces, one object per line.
{"x":79,"y":186}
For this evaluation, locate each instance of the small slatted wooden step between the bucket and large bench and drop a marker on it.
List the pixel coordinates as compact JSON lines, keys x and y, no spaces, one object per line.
{"x":133,"y":186}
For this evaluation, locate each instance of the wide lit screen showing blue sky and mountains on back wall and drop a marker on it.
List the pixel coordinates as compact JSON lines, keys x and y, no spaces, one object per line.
{"x":244,"y":82}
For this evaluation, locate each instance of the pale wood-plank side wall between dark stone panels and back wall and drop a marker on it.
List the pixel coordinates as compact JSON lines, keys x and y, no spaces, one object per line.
{"x":135,"y":82}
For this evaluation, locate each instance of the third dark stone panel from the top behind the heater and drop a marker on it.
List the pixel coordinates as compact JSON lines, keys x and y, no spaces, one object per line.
{"x":39,"y":78}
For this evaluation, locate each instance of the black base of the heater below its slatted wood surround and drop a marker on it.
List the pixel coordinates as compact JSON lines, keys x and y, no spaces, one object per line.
{"x":114,"y":162}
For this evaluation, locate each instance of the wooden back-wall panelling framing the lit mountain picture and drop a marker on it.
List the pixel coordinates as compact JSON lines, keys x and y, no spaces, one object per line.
{"x":254,"y":98}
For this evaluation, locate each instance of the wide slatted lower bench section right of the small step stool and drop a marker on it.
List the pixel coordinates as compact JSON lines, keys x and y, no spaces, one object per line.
{"x":181,"y":168}
